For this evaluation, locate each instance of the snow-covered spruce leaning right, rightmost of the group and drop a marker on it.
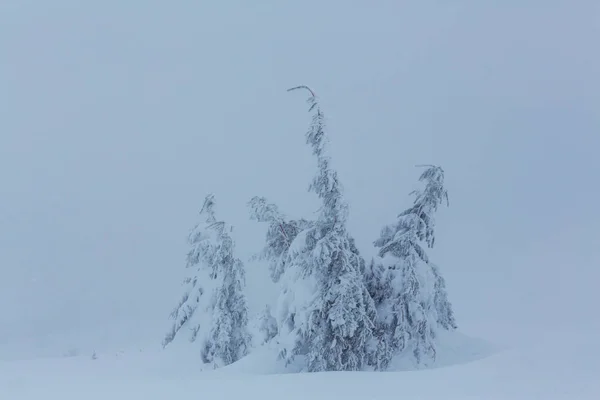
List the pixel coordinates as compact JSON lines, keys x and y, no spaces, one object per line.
{"x":408,"y":290}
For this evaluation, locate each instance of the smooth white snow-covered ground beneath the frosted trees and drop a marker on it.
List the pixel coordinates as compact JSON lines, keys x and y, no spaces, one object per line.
{"x":541,"y":364}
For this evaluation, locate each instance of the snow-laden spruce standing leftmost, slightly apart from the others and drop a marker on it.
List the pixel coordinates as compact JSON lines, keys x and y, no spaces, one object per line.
{"x":213,"y":307}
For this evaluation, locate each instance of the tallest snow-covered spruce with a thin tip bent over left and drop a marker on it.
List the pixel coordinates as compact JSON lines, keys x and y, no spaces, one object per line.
{"x":325,"y":313}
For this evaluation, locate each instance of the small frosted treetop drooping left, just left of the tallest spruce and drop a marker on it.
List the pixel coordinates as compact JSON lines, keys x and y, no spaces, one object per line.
{"x":280,"y":234}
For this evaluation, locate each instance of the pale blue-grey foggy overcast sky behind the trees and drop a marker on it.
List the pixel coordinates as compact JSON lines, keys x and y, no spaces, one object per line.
{"x":118,"y":117}
